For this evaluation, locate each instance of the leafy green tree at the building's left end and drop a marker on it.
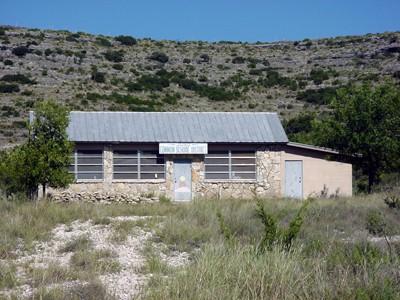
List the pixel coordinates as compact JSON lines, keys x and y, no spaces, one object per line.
{"x":44,"y":158}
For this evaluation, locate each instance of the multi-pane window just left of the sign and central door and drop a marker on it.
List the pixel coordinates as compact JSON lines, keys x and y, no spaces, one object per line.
{"x":137,"y":164}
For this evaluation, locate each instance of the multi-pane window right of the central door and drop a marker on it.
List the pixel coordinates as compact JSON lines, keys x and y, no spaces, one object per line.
{"x":230,"y":164}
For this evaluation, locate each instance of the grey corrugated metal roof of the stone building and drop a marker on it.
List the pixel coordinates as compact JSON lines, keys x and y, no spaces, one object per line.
{"x":176,"y":127}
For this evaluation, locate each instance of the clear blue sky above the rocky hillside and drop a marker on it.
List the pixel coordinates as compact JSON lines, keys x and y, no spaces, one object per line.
{"x":207,"y":20}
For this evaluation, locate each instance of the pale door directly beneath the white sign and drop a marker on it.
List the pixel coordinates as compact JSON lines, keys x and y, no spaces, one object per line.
{"x":183,"y":179}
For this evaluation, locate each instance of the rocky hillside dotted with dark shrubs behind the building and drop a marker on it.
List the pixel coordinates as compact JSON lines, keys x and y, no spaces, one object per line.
{"x":89,"y":72}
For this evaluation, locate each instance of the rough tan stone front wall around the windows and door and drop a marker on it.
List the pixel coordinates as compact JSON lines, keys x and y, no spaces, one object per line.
{"x":268,"y":182}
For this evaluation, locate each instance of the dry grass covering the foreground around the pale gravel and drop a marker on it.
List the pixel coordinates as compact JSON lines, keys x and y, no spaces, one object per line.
{"x":333,"y":257}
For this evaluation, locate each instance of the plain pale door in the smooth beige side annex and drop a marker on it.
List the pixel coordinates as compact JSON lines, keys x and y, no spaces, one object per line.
{"x":294,"y":179}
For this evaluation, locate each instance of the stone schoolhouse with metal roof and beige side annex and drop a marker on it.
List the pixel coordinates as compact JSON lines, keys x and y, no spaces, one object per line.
{"x":121,"y":156}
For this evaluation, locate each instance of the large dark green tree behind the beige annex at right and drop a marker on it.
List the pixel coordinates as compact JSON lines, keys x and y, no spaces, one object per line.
{"x":364,"y":127}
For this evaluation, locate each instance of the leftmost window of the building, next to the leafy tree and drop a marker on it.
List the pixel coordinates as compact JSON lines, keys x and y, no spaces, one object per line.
{"x":87,"y":164}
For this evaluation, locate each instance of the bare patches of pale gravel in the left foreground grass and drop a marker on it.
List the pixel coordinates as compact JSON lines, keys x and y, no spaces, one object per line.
{"x":125,"y":284}
